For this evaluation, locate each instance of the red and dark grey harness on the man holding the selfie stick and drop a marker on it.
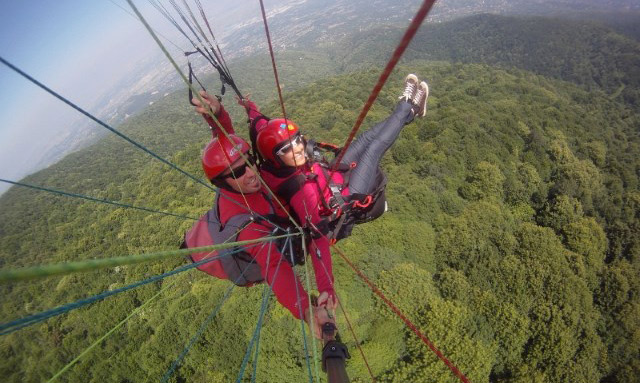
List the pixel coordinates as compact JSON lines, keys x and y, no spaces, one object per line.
{"x":236,"y":266}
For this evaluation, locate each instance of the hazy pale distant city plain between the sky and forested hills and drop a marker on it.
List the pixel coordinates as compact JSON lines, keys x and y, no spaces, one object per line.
{"x":294,"y":25}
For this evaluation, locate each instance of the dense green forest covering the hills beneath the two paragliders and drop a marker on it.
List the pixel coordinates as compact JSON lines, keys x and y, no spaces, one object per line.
{"x":512,"y":238}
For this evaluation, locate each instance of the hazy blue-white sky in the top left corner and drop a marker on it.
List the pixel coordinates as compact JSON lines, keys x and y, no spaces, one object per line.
{"x":79,"y":49}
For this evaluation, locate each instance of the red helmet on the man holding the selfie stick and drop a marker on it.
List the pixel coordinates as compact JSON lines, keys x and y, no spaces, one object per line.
{"x":220,"y":153}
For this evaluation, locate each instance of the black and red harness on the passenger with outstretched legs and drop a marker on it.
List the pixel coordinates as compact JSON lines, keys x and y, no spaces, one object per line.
{"x":341,"y":212}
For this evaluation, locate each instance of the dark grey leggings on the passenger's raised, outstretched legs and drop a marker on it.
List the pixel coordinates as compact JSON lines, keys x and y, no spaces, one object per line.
{"x":367,"y":150}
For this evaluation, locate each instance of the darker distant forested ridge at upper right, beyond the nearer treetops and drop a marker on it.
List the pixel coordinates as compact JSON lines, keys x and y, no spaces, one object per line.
{"x":582,"y":52}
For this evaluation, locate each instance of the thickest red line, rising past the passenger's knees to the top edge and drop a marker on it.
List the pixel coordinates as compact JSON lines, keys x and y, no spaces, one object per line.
{"x":406,"y":39}
